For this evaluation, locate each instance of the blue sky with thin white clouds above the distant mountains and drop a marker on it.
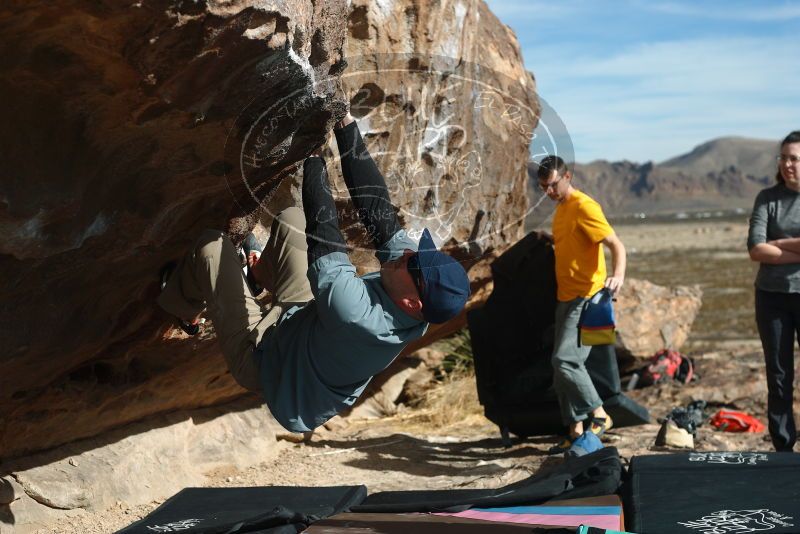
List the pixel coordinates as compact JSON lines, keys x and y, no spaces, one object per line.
{"x":649,"y":80}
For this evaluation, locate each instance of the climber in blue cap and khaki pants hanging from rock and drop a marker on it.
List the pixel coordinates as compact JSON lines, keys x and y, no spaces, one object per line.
{"x":327,"y":331}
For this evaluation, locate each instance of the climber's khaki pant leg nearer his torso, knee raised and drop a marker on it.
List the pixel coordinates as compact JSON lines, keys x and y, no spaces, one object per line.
{"x":286,"y":255}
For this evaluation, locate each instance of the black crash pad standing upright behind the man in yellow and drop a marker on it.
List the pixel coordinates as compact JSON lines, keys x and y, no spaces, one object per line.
{"x":512,"y":343}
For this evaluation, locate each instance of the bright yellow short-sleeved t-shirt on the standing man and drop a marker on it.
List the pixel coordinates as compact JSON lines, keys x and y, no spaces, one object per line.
{"x":578,"y":228}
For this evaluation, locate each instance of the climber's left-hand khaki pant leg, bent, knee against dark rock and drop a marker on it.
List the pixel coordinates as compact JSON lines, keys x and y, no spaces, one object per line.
{"x":212,"y":272}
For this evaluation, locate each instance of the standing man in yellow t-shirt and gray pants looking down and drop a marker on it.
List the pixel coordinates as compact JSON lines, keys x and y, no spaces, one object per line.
{"x":579,"y":229}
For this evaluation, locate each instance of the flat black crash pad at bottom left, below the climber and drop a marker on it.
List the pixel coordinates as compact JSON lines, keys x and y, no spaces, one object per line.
{"x":273,"y":510}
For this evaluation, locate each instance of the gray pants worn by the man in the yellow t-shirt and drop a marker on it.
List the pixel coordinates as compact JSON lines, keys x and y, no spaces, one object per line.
{"x":577,"y":396}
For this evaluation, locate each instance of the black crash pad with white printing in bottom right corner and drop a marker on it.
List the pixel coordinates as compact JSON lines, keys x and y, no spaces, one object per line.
{"x":714,"y":492}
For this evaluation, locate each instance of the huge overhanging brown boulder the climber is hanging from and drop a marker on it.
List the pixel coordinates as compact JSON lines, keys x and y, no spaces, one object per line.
{"x":132,"y":126}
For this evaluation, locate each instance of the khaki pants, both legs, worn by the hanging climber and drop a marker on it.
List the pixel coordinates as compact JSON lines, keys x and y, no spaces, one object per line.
{"x":210,"y":276}
